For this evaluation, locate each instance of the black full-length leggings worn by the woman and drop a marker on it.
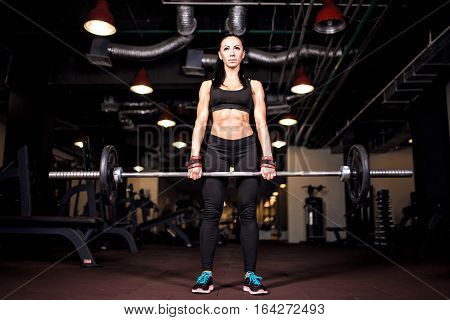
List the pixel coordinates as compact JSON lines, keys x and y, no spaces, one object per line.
{"x":243,"y":155}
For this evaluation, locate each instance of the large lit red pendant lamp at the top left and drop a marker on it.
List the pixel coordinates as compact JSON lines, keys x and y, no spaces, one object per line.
{"x":100,"y":20}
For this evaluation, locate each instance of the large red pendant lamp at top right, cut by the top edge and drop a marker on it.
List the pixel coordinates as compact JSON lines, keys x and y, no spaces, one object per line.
{"x":329,"y":19}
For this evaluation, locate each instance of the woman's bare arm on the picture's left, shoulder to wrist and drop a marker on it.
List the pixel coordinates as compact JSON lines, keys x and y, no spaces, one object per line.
{"x":202,"y":118}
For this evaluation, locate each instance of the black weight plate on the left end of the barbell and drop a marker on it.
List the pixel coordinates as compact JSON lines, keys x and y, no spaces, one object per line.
{"x":108,"y":162}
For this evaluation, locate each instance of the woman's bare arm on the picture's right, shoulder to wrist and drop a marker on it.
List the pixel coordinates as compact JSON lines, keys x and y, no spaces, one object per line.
{"x":260,"y":117}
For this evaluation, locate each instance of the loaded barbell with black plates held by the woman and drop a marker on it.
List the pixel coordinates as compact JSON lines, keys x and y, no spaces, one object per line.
{"x":355,"y":173}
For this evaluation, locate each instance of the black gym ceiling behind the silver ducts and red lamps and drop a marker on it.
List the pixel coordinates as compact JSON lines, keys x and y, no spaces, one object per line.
{"x":49,"y":35}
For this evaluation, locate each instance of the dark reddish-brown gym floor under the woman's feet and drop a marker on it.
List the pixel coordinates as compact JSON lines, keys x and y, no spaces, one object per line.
{"x":290,"y":271}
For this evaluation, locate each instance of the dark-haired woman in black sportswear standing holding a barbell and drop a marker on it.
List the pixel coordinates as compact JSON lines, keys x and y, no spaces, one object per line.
{"x":231,"y":97}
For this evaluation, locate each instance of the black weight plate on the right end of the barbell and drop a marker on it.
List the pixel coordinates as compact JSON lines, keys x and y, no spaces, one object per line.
{"x":359,"y":182}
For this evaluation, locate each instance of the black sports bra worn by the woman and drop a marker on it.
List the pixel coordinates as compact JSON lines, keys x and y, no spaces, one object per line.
{"x":231,"y":99}
